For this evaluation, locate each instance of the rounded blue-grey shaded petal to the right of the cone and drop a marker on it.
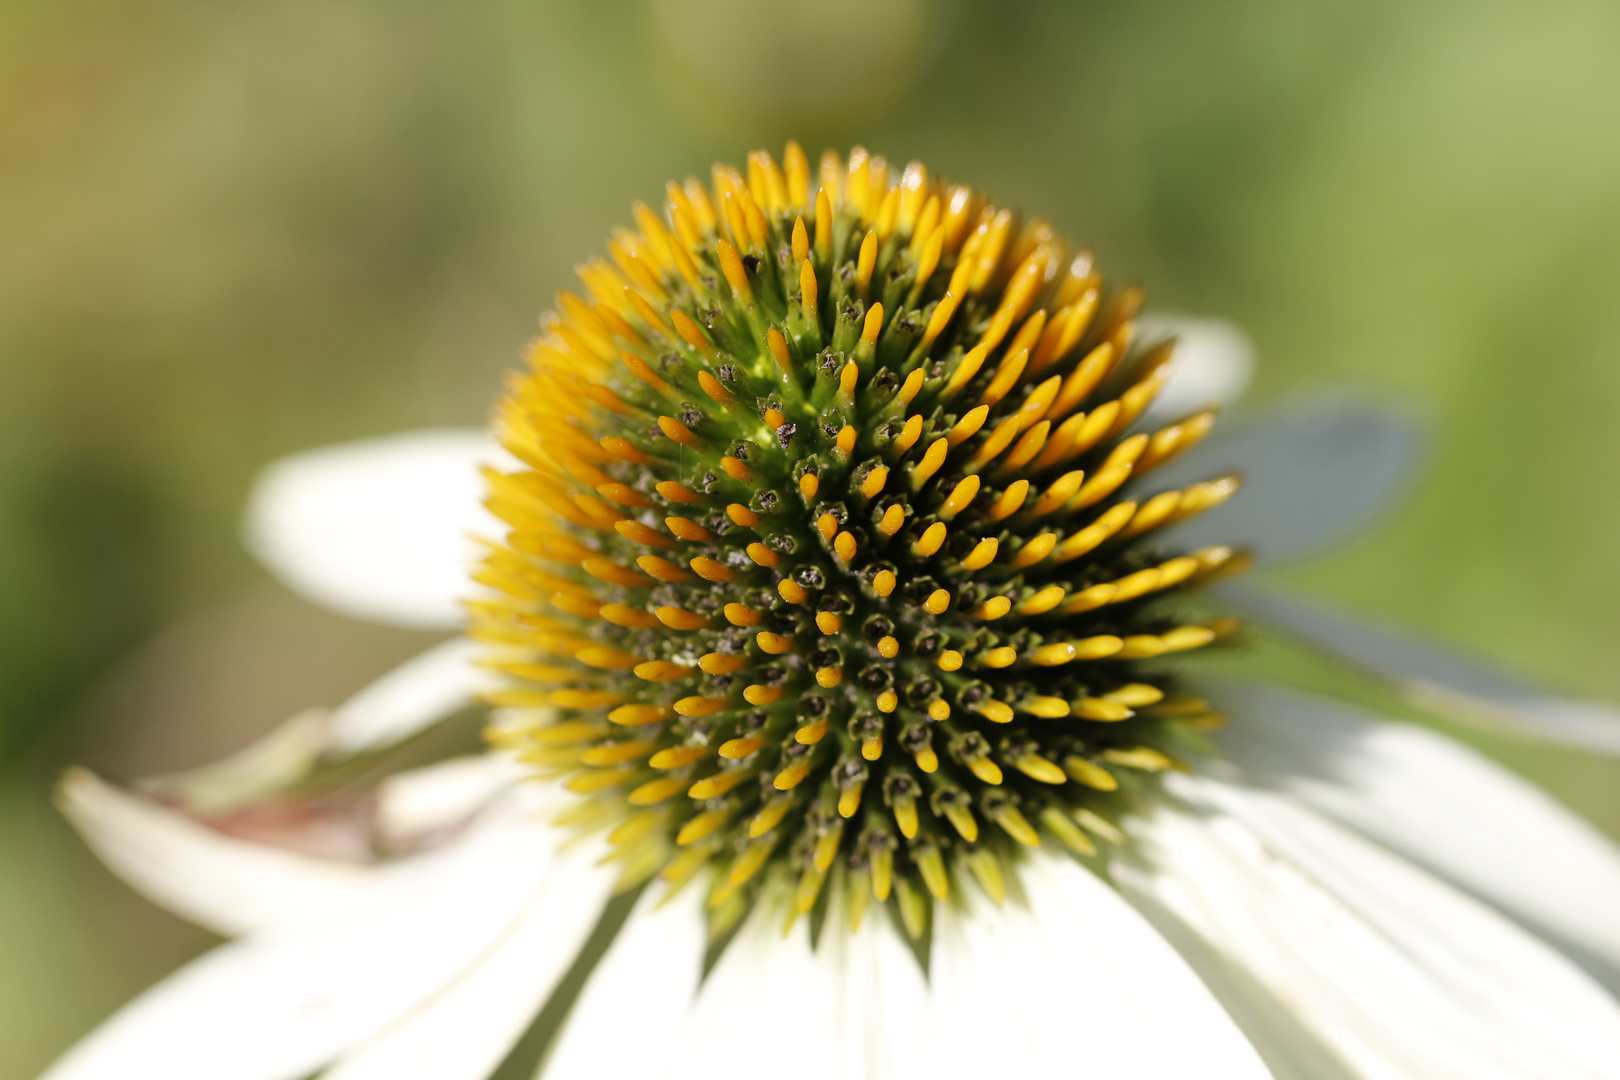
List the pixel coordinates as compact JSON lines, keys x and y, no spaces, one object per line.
{"x":1315,"y":475}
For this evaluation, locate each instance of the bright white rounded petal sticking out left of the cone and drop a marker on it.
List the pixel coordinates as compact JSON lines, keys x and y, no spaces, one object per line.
{"x":378,"y":529}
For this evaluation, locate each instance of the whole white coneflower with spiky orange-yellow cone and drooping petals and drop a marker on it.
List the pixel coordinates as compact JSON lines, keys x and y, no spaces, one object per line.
{"x":840,"y":555}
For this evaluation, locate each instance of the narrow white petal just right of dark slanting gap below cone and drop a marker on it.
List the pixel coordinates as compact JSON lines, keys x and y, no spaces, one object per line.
{"x":650,"y":972}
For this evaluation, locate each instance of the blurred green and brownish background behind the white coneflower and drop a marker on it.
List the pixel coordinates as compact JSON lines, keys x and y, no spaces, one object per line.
{"x":229,"y":232}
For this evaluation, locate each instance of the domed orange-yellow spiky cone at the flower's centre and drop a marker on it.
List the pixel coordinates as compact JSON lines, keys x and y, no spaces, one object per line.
{"x":832,"y":555}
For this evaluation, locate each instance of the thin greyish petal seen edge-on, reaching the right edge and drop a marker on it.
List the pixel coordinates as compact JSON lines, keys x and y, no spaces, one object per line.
{"x":1438,"y":678}
